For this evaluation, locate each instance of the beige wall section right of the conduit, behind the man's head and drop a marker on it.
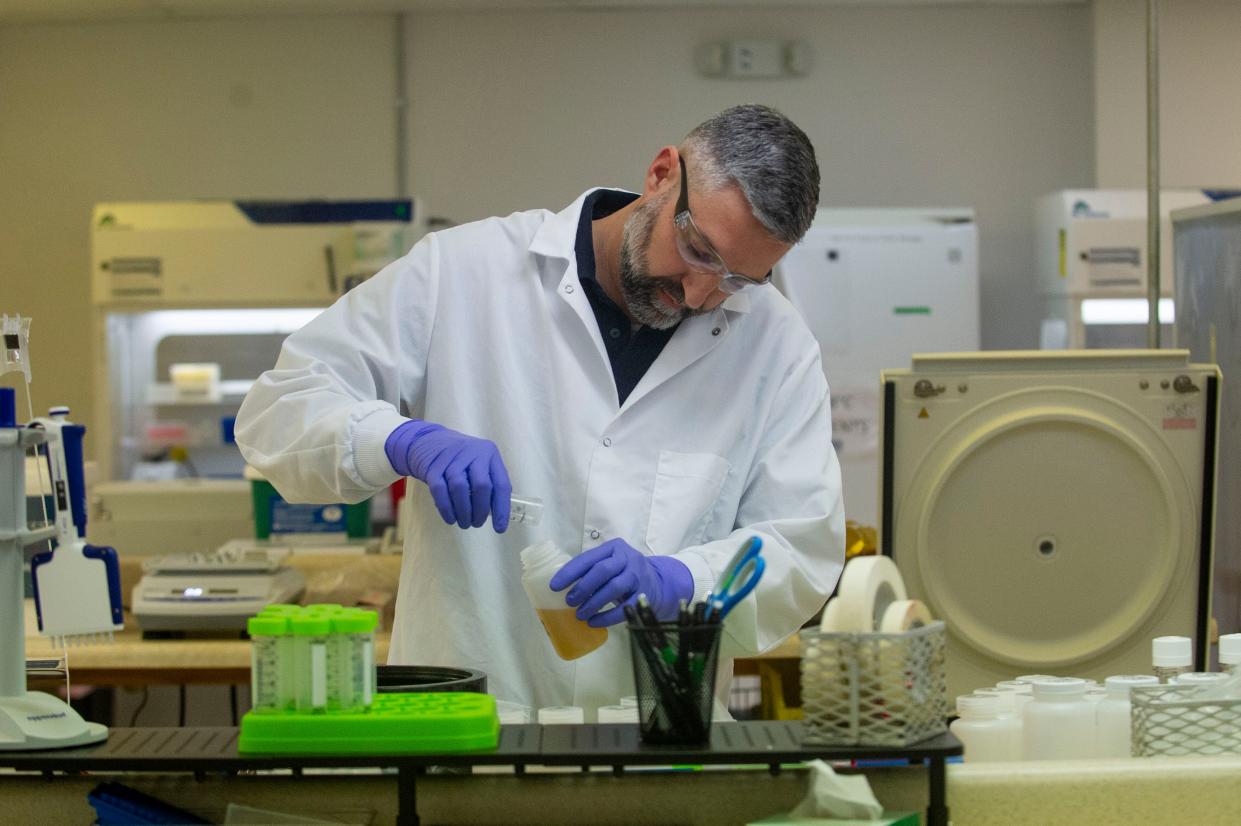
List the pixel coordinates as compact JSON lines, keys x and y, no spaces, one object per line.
{"x":982,"y":107}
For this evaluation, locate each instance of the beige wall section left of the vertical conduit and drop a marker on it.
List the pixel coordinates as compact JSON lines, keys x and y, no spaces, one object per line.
{"x":140,"y":111}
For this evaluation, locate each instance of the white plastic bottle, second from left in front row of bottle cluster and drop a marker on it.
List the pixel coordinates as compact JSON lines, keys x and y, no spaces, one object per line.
{"x":1059,"y":725}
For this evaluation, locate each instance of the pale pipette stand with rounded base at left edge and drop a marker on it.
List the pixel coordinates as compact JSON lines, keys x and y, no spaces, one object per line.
{"x":29,"y":720}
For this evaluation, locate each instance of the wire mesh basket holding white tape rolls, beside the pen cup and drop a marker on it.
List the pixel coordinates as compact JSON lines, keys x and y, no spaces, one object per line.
{"x":874,"y":689}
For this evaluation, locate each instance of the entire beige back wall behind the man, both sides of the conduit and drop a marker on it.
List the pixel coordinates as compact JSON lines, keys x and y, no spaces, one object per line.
{"x":986,"y":107}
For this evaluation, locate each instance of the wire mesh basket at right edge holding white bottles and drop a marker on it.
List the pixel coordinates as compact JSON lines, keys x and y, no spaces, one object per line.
{"x":1175,"y":721}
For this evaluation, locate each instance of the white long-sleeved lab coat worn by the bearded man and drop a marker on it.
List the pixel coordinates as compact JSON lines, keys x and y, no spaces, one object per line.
{"x":486,"y":329}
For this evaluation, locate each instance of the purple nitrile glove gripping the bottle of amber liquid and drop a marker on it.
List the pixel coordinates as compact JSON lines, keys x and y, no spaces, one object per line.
{"x":616,"y":572}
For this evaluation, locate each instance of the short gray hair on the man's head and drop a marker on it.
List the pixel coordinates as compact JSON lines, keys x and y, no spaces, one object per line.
{"x":766,"y":156}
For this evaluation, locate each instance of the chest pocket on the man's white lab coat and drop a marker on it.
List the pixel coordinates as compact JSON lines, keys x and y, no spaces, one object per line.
{"x":687,"y":487}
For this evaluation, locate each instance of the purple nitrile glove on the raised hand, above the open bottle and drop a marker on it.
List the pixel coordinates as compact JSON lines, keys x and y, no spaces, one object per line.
{"x":466,"y":476}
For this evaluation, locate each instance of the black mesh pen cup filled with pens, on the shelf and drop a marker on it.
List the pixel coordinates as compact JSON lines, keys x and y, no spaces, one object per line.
{"x":674,"y":673}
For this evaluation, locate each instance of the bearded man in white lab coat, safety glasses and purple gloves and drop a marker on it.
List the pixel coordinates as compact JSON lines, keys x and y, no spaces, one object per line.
{"x":622,"y":360}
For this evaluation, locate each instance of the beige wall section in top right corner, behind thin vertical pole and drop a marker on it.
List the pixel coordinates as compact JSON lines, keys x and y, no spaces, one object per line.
{"x":1201,"y":92}
